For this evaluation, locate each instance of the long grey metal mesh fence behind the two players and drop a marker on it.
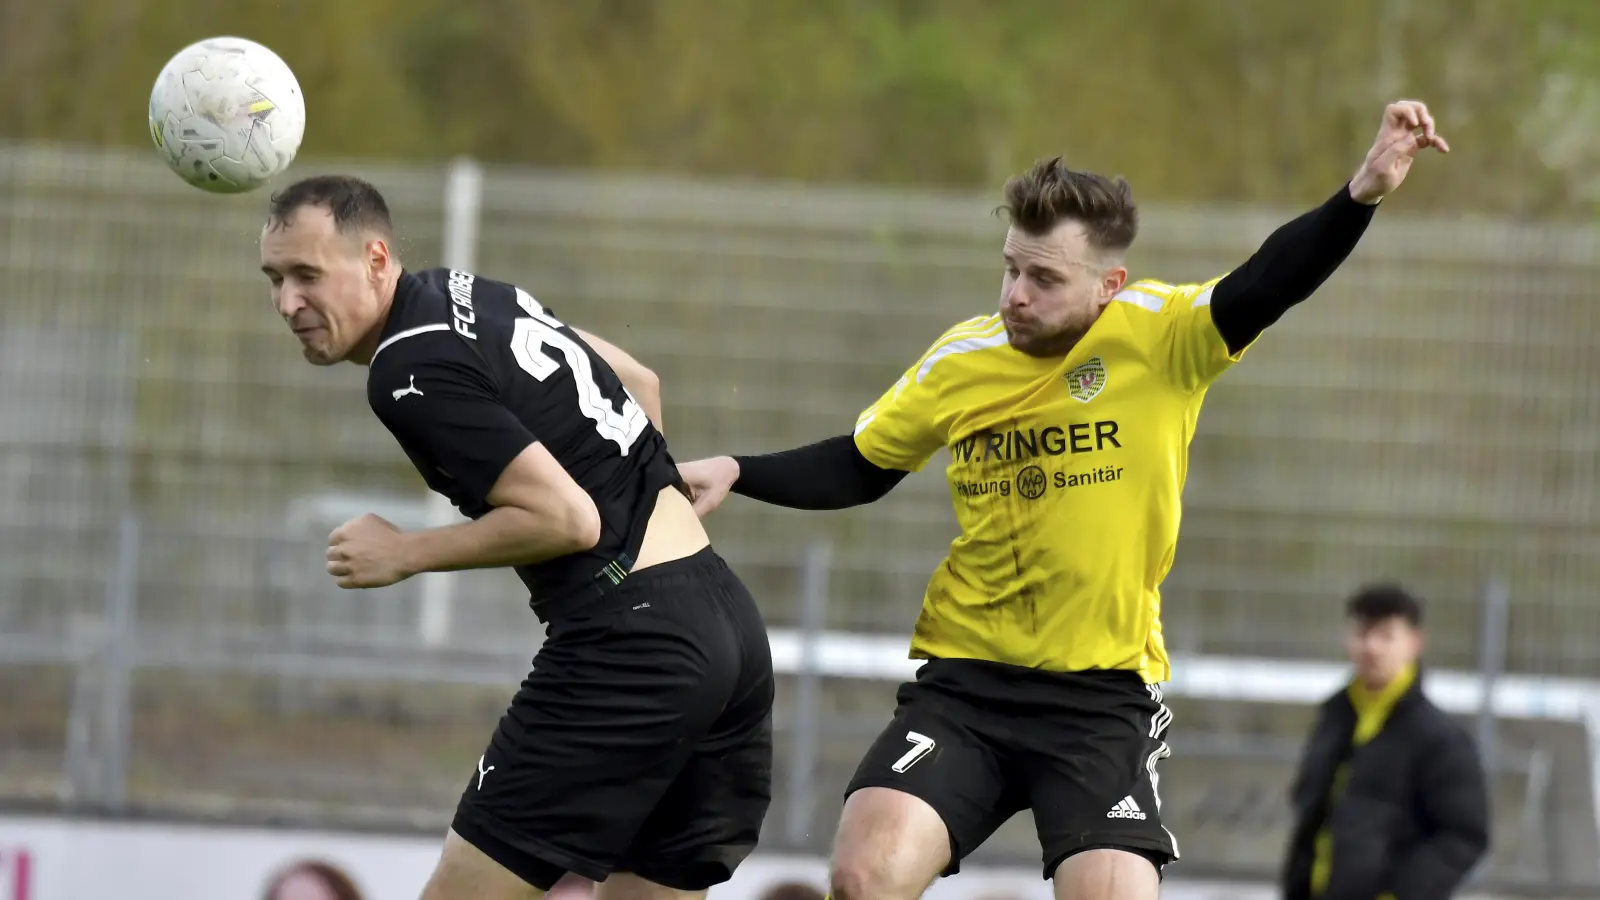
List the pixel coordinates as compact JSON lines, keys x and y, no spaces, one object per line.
{"x":172,"y":468}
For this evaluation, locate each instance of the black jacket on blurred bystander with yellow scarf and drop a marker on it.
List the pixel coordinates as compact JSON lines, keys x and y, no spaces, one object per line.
{"x":1414,"y":819}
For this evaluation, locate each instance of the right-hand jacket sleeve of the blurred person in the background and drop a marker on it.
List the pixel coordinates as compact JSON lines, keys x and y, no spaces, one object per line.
{"x":1457,"y":808}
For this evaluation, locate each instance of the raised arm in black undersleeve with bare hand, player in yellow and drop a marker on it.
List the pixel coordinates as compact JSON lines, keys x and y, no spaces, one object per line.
{"x":1300,"y":257}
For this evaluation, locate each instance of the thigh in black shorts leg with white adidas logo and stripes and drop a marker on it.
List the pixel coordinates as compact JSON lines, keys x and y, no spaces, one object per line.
{"x":1094,"y":785}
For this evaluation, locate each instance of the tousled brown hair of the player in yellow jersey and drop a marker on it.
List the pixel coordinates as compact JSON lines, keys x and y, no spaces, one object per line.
{"x":1050,"y":195}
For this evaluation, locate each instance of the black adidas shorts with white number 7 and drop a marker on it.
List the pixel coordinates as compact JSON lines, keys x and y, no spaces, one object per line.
{"x":982,"y":742}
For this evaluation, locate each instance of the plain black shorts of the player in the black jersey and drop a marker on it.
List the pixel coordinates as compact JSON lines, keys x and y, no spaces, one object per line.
{"x":641,"y":742}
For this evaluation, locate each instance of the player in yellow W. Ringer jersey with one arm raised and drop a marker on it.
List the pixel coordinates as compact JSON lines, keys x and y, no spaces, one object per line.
{"x":1068,"y":419}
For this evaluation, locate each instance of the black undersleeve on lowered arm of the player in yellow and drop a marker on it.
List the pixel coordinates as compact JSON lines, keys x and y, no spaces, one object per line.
{"x":828,"y":475}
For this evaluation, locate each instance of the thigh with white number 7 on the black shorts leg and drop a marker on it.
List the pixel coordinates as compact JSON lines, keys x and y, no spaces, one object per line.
{"x":929,"y":792}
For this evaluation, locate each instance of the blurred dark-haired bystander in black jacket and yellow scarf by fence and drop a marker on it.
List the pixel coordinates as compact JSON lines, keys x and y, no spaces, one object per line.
{"x":1391,"y":798}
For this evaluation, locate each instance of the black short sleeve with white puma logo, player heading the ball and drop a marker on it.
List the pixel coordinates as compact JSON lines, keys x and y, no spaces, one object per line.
{"x":439,"y":401}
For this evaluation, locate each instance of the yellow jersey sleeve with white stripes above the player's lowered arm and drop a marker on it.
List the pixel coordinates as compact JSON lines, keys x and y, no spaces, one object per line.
{"x":902,"y":430}
